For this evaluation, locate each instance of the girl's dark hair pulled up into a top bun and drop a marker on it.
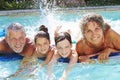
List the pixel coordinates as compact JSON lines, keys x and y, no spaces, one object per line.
{"x":43,"y":32}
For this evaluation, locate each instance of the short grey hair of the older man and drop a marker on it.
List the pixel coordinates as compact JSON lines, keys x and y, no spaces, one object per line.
{"x":14,"y":27}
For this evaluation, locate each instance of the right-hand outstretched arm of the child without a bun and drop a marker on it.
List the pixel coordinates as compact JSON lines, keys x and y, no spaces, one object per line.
{"x":73,"y":61}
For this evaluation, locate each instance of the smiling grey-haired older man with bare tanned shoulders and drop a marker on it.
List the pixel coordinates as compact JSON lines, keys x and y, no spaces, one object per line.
{"x":15,"y":41}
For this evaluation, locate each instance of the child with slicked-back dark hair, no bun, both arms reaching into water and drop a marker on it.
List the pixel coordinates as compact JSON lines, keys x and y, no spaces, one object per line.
{"x":63,"y":50}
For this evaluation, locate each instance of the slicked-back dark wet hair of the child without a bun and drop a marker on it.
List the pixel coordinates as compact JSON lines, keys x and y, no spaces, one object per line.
{"x":61,"y":36}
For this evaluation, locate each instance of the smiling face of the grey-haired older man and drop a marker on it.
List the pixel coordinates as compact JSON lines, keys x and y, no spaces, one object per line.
{"x":16,"y":40}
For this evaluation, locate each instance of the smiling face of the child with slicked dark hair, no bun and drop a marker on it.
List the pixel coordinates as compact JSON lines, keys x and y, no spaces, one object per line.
{"x":64,"y":48}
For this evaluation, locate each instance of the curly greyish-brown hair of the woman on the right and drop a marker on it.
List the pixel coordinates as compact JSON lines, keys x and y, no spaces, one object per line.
{"x":92,"y":17}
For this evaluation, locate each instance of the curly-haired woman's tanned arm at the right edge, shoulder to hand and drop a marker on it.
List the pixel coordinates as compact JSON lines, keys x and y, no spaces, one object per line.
{"x":113,"y":45}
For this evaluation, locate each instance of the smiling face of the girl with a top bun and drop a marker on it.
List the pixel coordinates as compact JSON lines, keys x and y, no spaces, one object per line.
{"x":42,"y":45}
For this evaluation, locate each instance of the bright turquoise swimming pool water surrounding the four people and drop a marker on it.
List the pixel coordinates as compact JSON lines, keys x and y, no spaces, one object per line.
{"x":69,"y":20}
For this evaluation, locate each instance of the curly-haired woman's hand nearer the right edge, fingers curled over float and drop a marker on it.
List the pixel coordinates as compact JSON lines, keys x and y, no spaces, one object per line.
{"x":104,"y":56}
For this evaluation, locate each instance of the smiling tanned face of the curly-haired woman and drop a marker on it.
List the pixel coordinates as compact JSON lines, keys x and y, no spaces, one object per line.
{"x":93,"y":33}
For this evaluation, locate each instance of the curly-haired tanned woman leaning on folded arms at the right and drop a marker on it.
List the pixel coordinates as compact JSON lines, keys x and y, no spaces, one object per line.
{"x":98,"y":39}
